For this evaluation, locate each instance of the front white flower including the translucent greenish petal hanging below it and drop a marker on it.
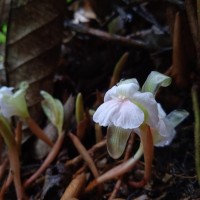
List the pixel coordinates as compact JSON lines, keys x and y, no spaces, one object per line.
{"x":125,"y":108}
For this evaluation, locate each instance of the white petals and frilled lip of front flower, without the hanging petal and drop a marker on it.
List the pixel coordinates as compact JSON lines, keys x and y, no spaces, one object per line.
{"x":126,"y":107}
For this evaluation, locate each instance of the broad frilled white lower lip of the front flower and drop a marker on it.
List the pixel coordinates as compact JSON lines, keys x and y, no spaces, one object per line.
{"x":122,"y":114}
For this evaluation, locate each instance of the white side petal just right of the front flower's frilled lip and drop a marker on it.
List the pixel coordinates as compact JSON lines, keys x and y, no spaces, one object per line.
{"x":148,"y":101}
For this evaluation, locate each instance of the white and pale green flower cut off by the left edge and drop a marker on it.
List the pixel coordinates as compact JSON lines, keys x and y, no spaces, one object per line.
{"x":13,"y":104}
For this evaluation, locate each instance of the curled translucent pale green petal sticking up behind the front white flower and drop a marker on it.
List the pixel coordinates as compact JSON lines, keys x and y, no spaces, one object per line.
{"x":154,"y":81}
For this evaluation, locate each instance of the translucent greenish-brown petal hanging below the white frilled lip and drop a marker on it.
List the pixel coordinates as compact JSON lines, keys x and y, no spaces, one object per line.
{"x":116,"y":141}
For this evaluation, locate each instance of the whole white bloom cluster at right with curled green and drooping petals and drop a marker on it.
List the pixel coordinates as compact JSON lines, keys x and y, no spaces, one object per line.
{"x":126,"y":109}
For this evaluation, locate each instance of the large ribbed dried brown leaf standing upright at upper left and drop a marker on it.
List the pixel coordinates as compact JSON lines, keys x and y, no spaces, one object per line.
{"x":33,"y":43}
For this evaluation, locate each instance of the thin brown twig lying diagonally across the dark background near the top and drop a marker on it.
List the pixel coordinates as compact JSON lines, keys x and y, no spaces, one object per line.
{"x":107,"y":36}
